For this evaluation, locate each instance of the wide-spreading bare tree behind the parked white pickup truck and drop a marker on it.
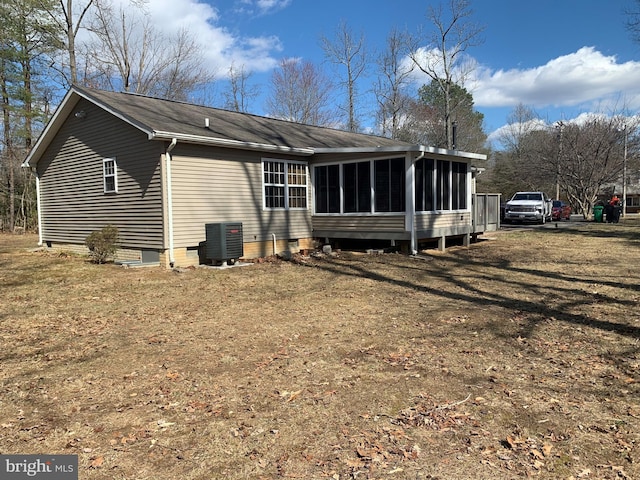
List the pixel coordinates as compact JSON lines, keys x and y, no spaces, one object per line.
{"x":580,"y":159}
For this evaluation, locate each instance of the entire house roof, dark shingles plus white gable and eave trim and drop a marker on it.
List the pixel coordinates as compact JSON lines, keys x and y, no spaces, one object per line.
{"x":167,"y":120}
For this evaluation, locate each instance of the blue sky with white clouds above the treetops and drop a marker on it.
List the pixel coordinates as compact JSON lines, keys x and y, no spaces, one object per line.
{"x":562,"y":58}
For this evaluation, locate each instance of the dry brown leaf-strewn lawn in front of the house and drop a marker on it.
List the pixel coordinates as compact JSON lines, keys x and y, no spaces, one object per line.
{"x":516,"y":357}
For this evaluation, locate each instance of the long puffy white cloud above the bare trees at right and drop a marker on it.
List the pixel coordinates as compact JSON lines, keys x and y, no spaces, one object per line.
{"x":585,"y":76}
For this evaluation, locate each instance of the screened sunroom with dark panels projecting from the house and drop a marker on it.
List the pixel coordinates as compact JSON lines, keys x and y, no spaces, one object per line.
{"x":405,"y":197}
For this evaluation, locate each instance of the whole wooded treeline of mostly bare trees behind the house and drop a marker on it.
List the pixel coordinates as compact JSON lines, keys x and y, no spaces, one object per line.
{"x":48,"y":45}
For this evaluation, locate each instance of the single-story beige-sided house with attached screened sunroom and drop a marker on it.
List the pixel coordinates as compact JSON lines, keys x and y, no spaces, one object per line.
{"x":162,"y":170}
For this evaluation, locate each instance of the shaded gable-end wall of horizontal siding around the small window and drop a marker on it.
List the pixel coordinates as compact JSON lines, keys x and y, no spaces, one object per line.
{"x":73,"y":200}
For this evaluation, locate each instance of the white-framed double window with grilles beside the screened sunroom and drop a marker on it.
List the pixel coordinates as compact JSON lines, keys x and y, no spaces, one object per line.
{"x":285,"y":184}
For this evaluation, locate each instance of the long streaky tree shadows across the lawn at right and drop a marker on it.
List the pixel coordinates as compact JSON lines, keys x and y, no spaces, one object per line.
{"x":501,"y":275}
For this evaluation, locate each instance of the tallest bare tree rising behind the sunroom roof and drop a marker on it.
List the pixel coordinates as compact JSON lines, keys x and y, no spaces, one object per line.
{"x":443,"y":59}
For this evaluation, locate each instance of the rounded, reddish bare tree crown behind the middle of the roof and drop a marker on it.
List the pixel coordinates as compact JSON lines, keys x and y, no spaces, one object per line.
{"x":300,"y":93}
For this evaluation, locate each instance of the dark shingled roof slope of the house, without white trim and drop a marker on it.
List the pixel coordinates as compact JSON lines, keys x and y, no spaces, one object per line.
{"x":166,"y":116}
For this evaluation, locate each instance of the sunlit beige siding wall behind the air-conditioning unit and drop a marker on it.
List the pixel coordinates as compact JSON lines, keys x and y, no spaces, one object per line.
{"x":213,"y":185}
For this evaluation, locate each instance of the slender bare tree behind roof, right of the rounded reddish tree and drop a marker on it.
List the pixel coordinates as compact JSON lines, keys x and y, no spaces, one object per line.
{"x":347,"y":51}
